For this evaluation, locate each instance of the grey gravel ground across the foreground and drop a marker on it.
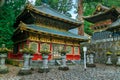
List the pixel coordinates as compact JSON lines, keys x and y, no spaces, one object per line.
{"x":76,"y":72}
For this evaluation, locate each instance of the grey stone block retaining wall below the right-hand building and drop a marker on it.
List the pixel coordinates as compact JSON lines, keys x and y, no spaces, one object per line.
{"x":100,"y":49}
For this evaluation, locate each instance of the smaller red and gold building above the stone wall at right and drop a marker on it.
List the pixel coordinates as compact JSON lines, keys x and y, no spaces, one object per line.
{"x":102,"y":19}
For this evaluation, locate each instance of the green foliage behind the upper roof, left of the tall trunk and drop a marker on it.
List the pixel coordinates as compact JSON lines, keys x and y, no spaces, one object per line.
{"x":62,"y":6}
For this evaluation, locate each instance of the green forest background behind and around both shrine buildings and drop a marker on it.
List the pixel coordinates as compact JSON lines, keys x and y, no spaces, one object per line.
{"x":12,"y":8}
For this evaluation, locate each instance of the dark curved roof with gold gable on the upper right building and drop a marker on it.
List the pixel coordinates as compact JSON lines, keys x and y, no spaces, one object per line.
{"x":103,"y":13}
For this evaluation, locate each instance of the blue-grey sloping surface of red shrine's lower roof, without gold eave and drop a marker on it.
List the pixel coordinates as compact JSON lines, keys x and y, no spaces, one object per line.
{"x":55,"y":32}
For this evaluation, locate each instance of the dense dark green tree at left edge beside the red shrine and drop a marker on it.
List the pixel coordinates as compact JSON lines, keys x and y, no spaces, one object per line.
{"x":8,"y":14}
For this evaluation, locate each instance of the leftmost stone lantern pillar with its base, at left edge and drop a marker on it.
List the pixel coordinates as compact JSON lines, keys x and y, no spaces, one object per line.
{"x":3,"y":67}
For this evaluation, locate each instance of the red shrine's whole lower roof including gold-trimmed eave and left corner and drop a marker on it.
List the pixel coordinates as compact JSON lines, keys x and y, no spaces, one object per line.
{"x":50,"y":32}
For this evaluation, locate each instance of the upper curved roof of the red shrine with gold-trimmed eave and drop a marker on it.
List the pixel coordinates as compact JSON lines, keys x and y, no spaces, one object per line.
{"x":46,"y":11}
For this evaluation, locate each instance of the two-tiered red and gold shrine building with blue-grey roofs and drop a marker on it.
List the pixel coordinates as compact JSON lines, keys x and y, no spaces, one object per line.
{"x":37,"y":25}
